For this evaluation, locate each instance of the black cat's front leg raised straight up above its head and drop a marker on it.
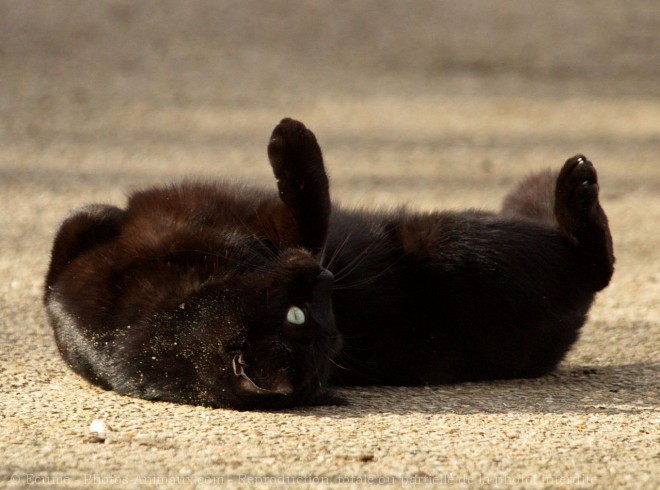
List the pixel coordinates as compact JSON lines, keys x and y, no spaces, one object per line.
{"x":302,"y":182}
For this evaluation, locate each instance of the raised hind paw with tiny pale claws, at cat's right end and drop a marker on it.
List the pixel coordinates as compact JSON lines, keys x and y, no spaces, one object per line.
{"x":577,"y":188}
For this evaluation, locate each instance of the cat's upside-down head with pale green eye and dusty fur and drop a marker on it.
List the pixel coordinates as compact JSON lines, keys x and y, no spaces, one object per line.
{"x":264,"y":337}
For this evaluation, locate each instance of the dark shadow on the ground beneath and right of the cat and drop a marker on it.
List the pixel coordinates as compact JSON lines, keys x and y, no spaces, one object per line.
{"x":616,"y":389}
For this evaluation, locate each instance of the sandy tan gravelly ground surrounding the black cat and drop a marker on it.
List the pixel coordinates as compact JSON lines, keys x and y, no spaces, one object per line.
{"x":441,"y":105}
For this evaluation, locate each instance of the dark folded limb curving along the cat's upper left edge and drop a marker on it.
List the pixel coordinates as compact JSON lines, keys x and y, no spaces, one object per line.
{"x":86,"y":228}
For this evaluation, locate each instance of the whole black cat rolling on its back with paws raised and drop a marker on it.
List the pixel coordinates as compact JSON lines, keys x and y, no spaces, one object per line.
{"x":224,"y":296}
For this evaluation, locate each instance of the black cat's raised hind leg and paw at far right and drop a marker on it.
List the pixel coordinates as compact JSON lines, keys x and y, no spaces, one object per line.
{"x":582,"y":220}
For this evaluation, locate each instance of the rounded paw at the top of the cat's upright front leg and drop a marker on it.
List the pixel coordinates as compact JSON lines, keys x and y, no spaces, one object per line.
{"x":293,"y":150}
